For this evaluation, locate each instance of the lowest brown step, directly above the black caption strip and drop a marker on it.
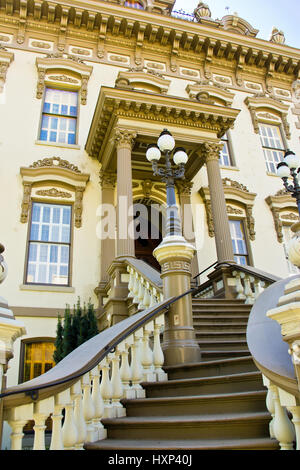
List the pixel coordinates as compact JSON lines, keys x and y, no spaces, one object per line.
{"x":176,"y":444}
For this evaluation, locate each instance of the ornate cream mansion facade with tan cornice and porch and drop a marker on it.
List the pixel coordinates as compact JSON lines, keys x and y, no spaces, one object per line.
{"x":84,"y":88}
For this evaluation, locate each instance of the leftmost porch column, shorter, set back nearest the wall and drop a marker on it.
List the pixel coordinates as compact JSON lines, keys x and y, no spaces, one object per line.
{"x":108,"y":182}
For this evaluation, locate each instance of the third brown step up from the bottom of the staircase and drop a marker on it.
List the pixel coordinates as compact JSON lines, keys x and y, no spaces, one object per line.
{"x":232,"y":403}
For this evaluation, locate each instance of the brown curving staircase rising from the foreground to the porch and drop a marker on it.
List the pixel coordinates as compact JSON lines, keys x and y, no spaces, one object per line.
{"x":219,"y":403}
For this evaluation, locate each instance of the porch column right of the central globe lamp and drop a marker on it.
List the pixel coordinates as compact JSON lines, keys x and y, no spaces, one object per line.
{"x":211,"y":152}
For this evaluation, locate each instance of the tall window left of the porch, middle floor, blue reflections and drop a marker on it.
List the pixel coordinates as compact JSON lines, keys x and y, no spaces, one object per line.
{"x":49,"y":244}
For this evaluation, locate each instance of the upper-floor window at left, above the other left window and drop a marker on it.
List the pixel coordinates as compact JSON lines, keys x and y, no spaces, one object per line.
{"x":59,"y":118}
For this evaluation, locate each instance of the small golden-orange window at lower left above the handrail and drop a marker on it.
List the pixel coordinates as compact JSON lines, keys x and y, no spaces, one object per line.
{"x":38,"y":359}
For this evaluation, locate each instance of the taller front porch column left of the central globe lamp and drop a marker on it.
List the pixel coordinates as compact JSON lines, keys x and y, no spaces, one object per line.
{"x":125,"y":240}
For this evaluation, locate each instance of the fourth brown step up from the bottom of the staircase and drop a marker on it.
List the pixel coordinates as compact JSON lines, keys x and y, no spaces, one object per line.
{"x":231,"y":383}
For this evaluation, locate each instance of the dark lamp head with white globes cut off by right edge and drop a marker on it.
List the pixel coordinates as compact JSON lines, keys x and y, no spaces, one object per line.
{"x":290,"y":167}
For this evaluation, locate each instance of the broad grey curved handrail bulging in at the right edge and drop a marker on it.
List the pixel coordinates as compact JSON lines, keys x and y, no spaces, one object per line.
{"x":265,"y":341}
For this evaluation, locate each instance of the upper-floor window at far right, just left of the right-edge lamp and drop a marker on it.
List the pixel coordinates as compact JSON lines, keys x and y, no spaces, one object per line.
{"x":272,"y":144}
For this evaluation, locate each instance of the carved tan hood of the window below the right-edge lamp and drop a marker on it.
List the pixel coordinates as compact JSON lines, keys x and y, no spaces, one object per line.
{"x":284,"y":211}
